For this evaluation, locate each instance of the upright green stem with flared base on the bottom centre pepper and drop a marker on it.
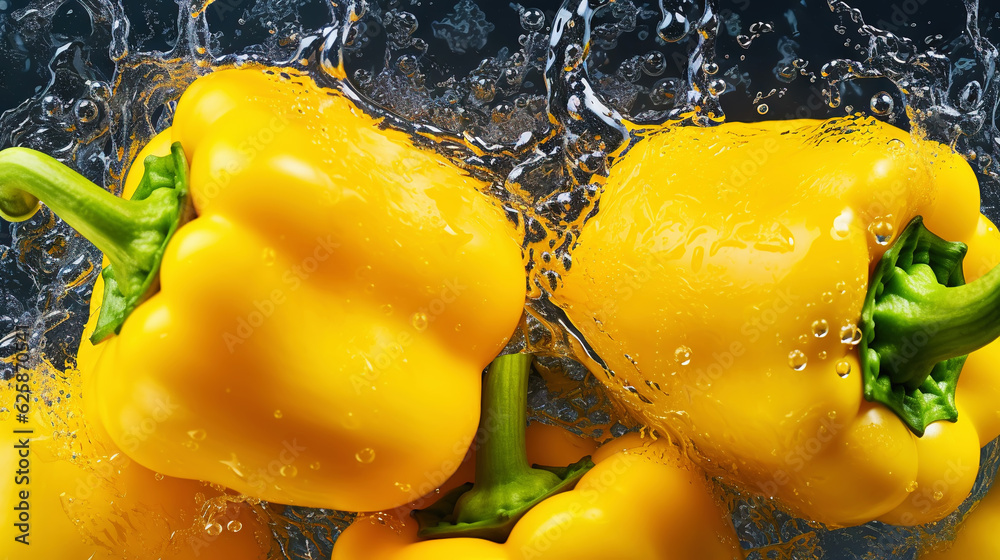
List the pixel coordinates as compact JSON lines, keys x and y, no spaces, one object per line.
{"x":506,"y":486}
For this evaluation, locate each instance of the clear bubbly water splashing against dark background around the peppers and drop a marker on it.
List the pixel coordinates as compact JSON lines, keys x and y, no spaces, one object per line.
{"x":540,"y":111}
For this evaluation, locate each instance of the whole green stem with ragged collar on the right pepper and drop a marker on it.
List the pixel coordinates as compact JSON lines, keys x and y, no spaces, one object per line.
{"x":919,"y":322}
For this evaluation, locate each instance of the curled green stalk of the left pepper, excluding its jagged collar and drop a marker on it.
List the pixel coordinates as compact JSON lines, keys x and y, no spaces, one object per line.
{"x":121,"y":229}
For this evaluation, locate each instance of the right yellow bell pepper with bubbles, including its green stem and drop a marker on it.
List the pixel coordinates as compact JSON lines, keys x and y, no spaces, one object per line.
{"x":723,"y":284}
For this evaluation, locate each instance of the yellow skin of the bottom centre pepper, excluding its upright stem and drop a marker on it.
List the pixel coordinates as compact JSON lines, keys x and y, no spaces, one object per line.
{"x":641,"y":502}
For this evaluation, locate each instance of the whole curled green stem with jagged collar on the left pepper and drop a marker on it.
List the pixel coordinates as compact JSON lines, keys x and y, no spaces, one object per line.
{"x":132,"y":234}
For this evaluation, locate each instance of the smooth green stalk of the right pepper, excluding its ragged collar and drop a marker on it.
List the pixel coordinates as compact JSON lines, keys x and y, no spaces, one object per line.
{"x":955,"y":321}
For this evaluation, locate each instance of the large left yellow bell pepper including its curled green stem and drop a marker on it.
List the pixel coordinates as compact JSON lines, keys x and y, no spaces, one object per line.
{"x":322,"y":320}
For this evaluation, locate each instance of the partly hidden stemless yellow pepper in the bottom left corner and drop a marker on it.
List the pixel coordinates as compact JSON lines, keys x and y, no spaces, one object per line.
{"x":70,"y":494}
